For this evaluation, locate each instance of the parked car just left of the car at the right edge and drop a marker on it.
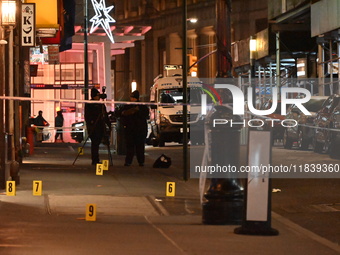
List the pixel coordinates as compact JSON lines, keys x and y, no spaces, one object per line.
{"x":302,"y":134}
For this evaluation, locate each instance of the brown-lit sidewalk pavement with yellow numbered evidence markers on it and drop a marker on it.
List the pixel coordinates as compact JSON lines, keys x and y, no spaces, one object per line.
{"x":133,"y":214}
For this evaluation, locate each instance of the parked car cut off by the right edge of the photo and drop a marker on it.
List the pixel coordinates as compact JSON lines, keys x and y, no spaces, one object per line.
{"x":327,"y":118}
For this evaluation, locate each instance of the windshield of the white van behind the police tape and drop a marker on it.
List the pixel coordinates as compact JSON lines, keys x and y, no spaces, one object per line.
{"x":176,"y":95}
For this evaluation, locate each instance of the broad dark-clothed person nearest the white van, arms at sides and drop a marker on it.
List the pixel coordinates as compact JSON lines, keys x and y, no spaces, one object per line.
{"x":134,"y":120}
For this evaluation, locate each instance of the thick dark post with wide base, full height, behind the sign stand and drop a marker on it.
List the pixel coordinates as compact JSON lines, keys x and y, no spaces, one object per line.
{"x":224,"y":198}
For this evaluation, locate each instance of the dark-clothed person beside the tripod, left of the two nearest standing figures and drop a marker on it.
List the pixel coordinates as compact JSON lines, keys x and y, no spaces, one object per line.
{"x":97,"y":123}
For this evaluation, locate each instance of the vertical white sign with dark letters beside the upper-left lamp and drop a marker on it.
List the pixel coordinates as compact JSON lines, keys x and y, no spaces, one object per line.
{"x":28,"y":24}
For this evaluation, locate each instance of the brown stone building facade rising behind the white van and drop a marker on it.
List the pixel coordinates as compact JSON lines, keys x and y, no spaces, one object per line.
{"x":163,"y":43}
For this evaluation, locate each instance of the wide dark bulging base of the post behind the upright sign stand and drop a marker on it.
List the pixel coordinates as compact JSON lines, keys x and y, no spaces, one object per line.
{"x":225,"y":195}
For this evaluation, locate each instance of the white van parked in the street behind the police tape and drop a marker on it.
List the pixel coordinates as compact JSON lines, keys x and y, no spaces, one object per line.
{"x":167,"y":118}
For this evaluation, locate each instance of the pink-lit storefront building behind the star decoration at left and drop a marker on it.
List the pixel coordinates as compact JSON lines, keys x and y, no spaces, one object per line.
{"x":59,"y":77}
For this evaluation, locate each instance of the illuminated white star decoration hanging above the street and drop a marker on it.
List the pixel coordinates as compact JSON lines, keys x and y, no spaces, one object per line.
{"x":102,"y":18}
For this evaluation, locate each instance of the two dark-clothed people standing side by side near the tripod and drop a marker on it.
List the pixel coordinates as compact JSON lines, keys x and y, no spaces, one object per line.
{"x":133,"y":118}
